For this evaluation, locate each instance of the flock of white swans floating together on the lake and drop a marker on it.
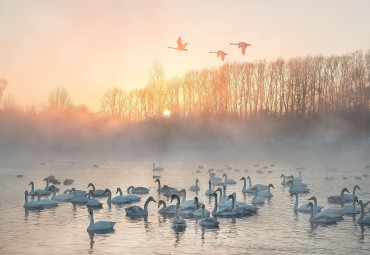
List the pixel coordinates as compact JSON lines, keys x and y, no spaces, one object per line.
{"x":225,"y":205}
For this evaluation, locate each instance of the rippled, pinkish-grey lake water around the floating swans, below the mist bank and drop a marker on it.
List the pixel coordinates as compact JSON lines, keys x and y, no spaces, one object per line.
{"x":274,"y":229}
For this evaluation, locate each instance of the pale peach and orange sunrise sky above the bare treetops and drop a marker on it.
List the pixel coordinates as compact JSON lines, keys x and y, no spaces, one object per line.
{"x":89,"y":46}
